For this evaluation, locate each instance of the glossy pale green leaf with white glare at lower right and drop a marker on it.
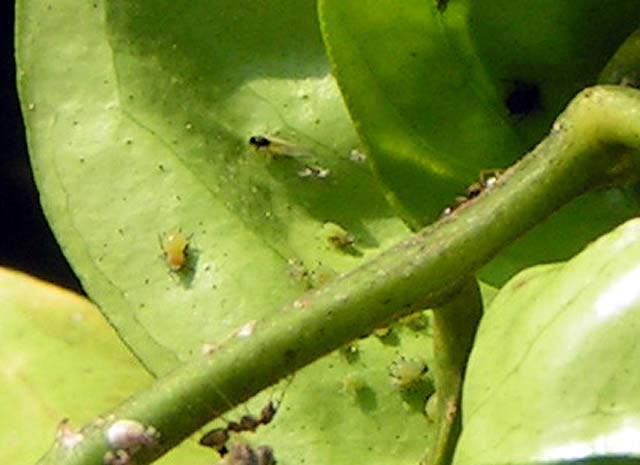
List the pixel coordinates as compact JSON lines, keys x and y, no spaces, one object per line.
{"x":551,"y":376}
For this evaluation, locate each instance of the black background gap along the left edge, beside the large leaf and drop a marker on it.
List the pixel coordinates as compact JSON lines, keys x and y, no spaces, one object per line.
{"x":26,"y":242}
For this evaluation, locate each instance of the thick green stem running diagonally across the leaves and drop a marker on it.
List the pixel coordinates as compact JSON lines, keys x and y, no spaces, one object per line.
{"x":591,"y":144}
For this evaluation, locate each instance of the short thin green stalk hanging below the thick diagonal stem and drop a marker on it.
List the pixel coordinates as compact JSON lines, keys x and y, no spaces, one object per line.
{"x":454,"y":329}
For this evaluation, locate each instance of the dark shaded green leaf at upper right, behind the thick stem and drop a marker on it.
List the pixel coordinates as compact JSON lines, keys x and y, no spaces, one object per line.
{"x":427,"y":89}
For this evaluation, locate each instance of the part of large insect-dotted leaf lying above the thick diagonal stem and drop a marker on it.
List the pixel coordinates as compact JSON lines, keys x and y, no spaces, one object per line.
{"x":138,"y":117}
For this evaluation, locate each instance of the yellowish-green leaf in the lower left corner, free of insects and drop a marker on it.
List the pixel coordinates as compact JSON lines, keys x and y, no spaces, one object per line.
{"x":60,"y":360}
